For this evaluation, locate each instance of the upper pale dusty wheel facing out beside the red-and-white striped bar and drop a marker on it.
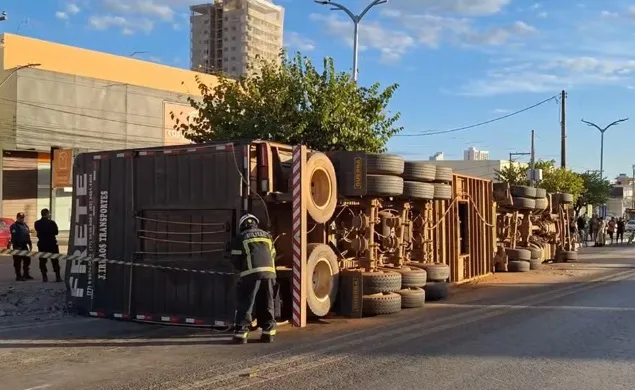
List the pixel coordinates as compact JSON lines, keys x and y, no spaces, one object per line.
{"x":322,"y":199}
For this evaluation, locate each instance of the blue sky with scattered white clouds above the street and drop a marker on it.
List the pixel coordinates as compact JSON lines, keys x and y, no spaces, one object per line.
{"x":457,"y":63}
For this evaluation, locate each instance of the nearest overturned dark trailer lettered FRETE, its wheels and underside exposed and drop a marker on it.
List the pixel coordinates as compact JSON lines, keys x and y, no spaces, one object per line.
{"x":159,"y":222}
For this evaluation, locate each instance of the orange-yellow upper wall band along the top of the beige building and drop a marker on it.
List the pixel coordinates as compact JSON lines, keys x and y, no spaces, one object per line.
{"x":19,"y":50}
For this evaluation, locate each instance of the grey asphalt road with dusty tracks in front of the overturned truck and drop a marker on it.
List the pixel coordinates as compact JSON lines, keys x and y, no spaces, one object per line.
{"x":566,"y":327}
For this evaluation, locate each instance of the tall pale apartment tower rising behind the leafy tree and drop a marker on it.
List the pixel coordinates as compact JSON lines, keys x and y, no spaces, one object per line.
{"x":227,"y":35}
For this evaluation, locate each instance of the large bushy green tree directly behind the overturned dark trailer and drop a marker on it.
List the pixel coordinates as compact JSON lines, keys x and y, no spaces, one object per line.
{"x":294,"y":103}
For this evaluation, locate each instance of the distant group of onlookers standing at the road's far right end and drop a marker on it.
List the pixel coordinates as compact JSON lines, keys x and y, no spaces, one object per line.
{"x":601,"y":231}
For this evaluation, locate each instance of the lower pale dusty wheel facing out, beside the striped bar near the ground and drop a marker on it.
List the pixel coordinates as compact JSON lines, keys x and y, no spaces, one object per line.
{"x":323,"y":273}
